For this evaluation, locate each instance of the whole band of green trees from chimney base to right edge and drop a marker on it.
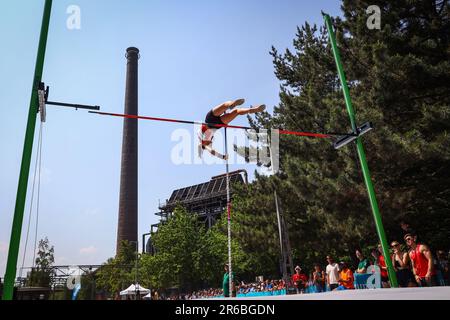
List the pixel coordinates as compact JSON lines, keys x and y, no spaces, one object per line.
{"x":399,"y":78}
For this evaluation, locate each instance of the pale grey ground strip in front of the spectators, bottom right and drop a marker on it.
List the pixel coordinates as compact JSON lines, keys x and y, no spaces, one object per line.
{"x":435,"y":293}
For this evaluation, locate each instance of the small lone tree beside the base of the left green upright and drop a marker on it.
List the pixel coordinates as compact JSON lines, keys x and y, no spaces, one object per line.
{"x":41,"y":275}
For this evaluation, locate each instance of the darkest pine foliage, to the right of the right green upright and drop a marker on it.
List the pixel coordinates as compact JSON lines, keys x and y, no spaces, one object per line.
{"x":403,"y":75}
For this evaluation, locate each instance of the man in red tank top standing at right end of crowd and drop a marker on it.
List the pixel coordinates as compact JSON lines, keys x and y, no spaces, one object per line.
{"x":422,"y":262}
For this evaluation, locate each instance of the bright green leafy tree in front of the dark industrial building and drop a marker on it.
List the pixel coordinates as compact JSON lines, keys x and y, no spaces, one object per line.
{"x":187,"y":256}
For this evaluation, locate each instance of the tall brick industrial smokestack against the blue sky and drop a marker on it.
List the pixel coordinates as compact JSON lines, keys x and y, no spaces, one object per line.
{"x":128,"y":202}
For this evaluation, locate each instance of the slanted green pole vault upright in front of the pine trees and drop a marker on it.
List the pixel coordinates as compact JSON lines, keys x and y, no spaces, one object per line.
{"x":362,"y":155}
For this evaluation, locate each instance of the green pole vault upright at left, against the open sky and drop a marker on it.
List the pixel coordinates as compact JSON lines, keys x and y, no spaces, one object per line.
{"x":16,"y":231}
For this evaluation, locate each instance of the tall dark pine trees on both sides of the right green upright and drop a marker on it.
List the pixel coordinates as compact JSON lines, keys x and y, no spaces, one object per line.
{"x":399,"y":79}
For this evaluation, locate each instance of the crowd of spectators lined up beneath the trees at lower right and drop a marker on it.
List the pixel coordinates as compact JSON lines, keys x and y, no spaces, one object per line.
{"x":413,"y":262}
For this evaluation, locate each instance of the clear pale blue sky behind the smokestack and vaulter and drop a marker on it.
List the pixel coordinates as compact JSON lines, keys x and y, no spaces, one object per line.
{"x":194,"y":55}
